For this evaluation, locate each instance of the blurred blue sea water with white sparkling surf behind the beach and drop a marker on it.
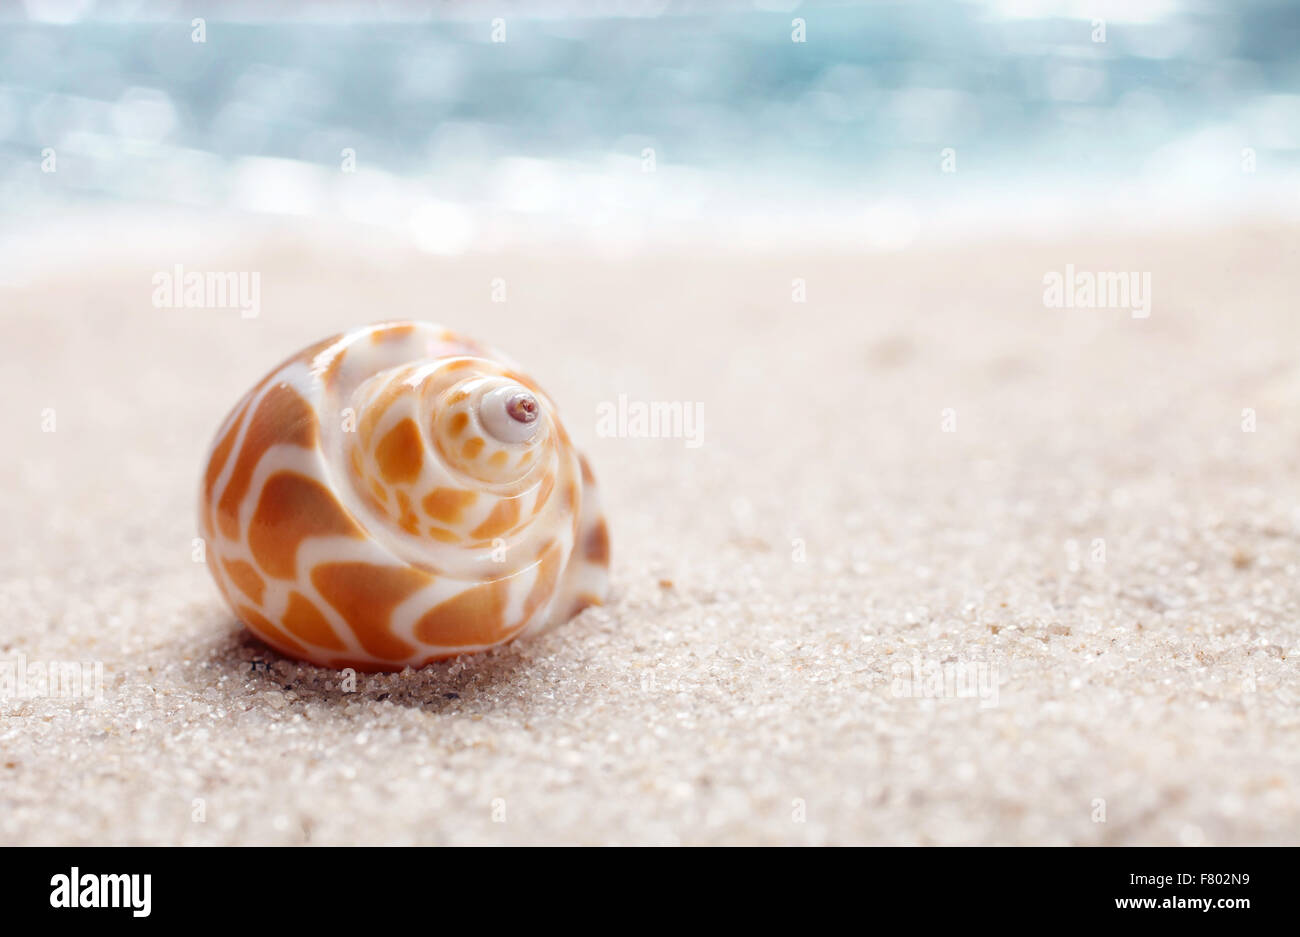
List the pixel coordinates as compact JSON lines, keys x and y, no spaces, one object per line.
{"x":891,"y":123}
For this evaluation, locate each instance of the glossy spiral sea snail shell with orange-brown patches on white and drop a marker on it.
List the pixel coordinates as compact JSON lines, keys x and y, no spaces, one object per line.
{"x":398,"y":494}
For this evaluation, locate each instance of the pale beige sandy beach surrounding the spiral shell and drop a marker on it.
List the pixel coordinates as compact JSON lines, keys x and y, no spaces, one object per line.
{"x":947,"y":566}
